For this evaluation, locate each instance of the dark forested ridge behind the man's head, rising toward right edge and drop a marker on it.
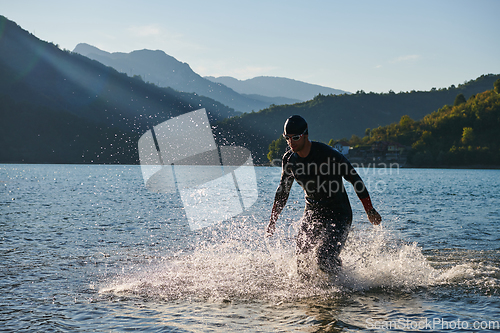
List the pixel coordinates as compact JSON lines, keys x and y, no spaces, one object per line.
{"x":341,"y":116}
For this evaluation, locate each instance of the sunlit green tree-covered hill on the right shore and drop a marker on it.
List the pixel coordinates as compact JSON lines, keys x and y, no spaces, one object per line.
{"x":460,"y":135}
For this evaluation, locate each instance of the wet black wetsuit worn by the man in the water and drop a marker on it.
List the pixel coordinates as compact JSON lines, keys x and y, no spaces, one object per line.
{"x":327,"y":214}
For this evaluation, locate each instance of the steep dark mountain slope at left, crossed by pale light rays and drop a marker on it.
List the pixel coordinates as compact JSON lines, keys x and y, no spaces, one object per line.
{"x":61,"y":107}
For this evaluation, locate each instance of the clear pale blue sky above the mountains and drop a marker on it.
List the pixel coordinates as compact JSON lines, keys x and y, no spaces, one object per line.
{"x":375,"y":45}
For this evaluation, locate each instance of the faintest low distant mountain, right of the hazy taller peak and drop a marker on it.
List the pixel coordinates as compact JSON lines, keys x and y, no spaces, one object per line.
{"x":276,"y":86}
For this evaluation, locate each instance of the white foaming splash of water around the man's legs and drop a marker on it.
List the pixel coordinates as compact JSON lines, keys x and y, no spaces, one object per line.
{"x":253,"y":268}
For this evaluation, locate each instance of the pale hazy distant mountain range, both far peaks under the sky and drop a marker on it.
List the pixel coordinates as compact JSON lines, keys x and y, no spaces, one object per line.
{"x":163,"y":70}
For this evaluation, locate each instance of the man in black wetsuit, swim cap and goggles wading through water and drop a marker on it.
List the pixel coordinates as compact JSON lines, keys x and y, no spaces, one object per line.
{"x":319,"y":170}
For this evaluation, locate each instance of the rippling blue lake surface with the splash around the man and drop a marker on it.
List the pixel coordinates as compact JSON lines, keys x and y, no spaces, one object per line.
{"x":88,"y":248}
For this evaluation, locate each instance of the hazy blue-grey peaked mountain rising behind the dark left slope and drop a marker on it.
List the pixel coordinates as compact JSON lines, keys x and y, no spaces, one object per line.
{"x":163,"y":70}
